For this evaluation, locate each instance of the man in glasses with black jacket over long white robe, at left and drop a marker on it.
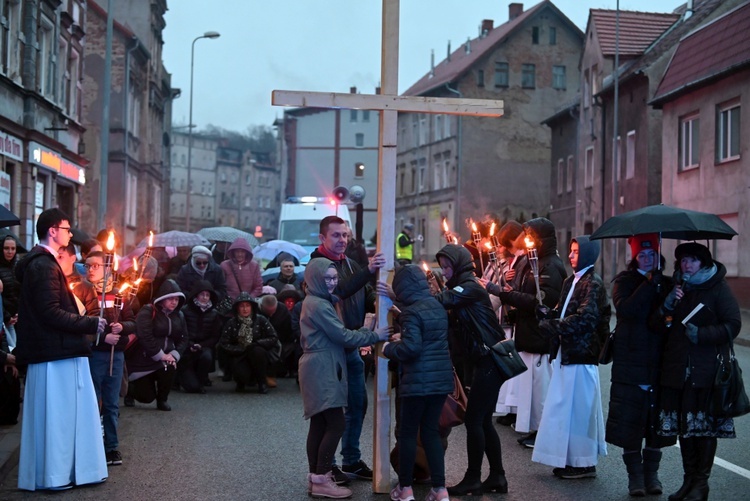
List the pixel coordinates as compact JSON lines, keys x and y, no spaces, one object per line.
{"x":65,"y":449}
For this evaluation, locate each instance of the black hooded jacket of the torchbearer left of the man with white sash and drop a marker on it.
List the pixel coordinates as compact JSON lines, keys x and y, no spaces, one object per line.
{"x":523,"y":296}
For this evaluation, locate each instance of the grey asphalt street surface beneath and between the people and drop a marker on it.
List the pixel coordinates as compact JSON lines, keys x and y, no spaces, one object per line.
{"x":224,"y":445}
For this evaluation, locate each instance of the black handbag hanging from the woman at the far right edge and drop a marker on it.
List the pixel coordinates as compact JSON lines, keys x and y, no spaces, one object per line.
{"x":728,"y":397}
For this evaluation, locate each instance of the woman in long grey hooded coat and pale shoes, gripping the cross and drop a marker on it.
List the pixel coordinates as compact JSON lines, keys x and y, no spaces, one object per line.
{"x":322,"y":373}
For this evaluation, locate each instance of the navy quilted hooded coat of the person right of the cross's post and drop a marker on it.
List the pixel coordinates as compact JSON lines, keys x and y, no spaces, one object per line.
{"x":425,"y":365}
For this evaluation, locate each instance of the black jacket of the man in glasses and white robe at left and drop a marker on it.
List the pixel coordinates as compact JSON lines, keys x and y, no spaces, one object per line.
{"x":49,"y":326}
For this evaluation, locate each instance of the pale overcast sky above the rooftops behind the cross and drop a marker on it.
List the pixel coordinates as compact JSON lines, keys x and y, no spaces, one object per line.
{"x":317,"y":45}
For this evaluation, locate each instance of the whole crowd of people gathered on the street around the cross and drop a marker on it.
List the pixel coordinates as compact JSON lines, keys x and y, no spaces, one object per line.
{"x":81,"y":342}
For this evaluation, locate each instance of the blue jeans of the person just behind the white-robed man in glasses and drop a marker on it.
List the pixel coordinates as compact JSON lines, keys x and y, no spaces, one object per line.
{"x":108,"y":392}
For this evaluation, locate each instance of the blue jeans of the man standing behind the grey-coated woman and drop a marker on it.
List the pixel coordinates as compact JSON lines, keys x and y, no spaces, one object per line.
{"x":354,"y":415}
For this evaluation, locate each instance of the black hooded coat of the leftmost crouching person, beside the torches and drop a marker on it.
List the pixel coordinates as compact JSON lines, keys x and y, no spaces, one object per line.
{"x":158,"y":333}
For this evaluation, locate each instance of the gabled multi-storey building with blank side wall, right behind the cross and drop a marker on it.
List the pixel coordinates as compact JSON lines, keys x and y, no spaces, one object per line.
{"x":466,"y":167}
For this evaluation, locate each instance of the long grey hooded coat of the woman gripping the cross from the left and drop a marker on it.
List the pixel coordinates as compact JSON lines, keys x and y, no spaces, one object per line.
{"x":324,"y":338}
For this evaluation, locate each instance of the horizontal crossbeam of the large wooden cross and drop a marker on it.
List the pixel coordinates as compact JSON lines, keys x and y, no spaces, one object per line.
{"x":390,"y":102}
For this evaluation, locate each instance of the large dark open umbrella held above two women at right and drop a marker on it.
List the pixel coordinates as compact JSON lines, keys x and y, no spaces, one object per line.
{"x":669,"y":222}
